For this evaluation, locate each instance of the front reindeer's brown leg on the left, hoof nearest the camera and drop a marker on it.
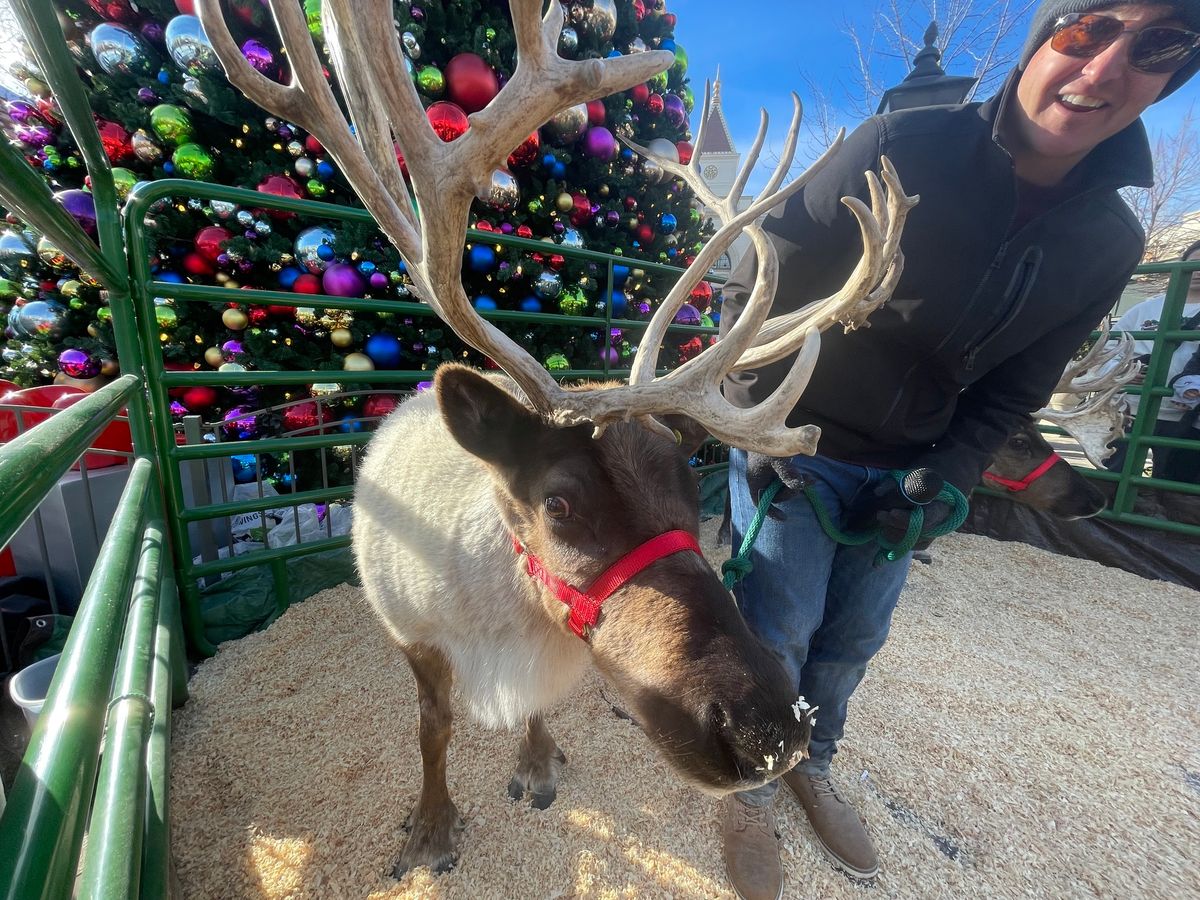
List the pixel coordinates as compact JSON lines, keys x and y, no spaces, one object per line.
{"x":435,"y":823}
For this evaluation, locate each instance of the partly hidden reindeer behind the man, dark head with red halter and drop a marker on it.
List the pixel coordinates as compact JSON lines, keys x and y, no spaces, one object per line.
{"x":1091,"y":409}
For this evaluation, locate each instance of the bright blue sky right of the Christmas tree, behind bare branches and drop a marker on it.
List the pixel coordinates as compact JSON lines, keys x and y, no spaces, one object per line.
{"x":764,"y":57}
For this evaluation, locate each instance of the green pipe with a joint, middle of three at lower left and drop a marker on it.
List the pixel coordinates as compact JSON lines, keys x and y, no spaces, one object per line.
{"x":112,"y":868}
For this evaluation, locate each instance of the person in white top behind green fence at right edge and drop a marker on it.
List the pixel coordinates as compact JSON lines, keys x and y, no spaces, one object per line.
{"x":1175,"y":413}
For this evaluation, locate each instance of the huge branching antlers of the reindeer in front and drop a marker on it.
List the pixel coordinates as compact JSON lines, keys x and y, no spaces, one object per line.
{"x":447,"y":177}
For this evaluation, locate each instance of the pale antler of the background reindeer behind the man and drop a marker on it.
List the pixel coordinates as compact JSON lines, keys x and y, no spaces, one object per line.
{"x":1101,"y":410}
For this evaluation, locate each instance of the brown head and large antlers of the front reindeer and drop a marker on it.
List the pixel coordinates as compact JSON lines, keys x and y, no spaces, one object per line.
{"x":585,"y":477}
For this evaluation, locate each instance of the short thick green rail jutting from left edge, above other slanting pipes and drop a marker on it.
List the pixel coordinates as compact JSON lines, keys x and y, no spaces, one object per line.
{"x":33,"y":463}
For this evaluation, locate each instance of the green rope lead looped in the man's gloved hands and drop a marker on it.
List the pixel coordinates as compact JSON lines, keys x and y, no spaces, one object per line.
{"x":737,"y":568}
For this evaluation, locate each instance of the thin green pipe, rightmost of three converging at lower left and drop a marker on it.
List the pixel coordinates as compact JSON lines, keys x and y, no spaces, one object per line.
{"x":155,"y":879}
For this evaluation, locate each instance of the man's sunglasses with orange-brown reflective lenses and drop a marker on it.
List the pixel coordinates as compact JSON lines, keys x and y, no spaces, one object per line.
{"x":1155,"y":49}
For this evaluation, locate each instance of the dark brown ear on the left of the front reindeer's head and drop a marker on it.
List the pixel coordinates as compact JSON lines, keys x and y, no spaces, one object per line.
{"x":485,"y":419}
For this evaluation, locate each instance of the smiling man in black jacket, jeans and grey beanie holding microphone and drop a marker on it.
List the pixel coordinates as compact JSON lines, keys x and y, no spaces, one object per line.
{"x":1018,"y":249}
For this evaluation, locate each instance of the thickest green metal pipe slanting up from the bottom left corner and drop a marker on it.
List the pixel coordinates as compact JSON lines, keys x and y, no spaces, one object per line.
{"x":43,"y":827}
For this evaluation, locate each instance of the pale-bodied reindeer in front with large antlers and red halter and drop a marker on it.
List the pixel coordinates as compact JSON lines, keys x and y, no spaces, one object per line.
{"x":485,"y":507}
